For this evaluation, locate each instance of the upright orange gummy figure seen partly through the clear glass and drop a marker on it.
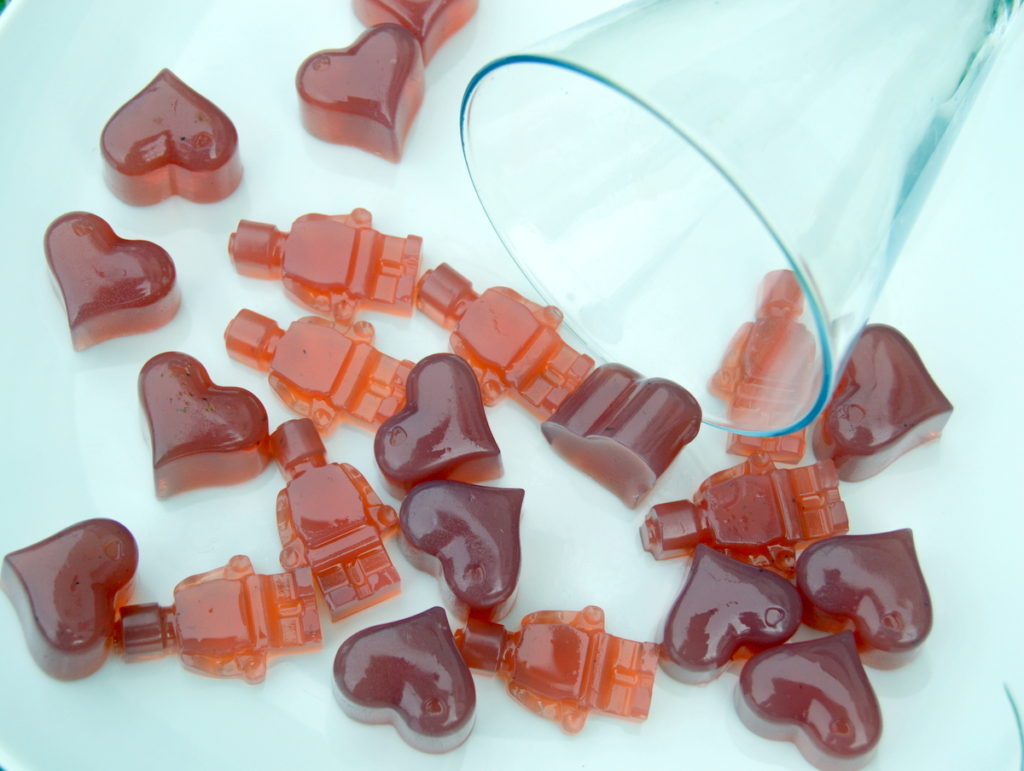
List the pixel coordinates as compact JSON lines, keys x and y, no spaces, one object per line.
{"x":766,"y":371}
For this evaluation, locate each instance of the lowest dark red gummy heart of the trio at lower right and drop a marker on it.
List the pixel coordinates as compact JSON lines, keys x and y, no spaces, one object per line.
{"x":816,"y":695}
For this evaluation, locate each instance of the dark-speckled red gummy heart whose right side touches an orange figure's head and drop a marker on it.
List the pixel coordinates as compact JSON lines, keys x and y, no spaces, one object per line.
{"x":203,"y":435}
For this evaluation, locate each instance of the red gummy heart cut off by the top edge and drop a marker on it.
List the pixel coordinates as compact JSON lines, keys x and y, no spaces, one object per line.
{"x":432,"y":22}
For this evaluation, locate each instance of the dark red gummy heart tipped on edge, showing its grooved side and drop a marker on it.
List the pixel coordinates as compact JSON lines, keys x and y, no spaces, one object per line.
{"x":624,"y":431}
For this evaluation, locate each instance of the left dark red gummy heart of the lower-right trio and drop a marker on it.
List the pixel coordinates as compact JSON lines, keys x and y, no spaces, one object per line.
{"x":726,"y":606}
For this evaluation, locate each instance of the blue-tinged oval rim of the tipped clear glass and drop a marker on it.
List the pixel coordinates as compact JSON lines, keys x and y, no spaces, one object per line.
{"x":814,"y":303}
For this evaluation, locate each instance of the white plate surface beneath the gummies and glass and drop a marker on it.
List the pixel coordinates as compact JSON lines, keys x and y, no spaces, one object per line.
{"x":74,"y":446}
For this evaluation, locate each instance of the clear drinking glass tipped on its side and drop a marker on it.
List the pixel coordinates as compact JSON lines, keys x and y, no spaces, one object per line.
{"x":649,"y":168}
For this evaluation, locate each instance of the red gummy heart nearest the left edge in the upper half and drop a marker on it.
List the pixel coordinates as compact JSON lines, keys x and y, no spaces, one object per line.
{"x":111,"y":287}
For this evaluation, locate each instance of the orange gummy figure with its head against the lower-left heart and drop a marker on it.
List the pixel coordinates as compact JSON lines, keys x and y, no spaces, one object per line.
{"x":227,"y":622}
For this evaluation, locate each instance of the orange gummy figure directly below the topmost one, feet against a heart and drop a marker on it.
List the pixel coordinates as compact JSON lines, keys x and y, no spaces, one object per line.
{"x":321,"y":370}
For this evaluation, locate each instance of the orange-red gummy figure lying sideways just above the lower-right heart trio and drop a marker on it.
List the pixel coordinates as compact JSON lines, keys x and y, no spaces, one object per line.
{"x":753,"y":512}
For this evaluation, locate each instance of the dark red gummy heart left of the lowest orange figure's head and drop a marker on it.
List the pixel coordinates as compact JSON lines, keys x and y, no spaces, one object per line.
{"x":409,"y":673}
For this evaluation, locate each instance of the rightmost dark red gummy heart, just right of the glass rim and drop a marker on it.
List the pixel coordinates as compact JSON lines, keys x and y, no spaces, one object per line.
{"x":886,"y":404}
